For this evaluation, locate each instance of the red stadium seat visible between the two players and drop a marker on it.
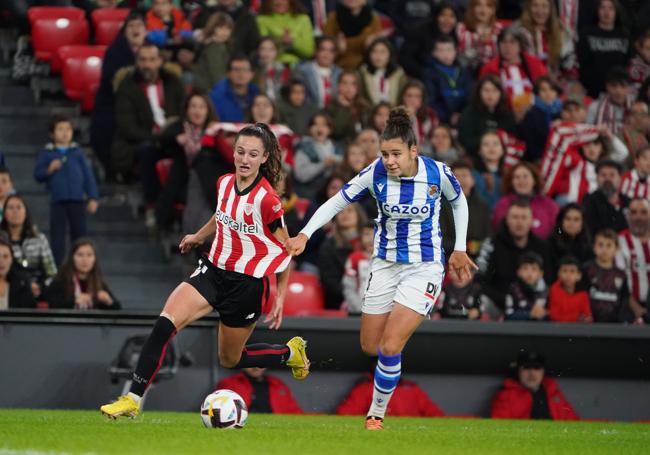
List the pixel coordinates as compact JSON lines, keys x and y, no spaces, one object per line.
{"x":304,"y":295}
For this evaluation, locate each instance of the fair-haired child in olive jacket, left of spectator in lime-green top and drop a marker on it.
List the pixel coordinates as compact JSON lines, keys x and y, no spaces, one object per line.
{"x":214,"y":53}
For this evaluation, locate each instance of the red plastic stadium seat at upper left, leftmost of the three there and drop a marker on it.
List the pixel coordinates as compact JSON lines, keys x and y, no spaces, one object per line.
{"x":48,"y":35}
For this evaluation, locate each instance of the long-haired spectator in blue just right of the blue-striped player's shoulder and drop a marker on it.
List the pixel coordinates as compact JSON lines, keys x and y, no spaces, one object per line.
{"x":488,"y":168}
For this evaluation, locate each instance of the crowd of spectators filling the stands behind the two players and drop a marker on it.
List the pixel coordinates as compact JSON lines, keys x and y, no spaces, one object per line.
{"x":540,"y":107}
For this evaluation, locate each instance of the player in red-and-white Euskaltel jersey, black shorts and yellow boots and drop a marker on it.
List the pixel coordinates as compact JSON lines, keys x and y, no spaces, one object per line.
{"x":249,"y":233}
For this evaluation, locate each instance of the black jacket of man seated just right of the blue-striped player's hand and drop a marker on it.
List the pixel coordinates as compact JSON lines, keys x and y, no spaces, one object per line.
{"x":498,"y":262}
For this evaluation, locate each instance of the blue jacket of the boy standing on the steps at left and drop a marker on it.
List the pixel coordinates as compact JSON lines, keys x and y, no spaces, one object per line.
{"x":72,"y":181}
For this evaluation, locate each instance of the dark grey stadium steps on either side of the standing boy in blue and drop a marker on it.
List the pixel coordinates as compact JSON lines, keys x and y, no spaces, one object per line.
{"x":136,"y":269}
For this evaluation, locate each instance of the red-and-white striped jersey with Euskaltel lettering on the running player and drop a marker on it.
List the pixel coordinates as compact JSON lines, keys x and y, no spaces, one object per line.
{"x":243,"y":241}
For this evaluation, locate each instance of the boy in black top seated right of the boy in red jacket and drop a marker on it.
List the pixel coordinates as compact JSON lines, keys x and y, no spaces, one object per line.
{"x":605,"y":283}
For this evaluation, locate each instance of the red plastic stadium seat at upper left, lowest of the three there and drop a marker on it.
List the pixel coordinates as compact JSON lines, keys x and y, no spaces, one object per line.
{"x":82,"y":67}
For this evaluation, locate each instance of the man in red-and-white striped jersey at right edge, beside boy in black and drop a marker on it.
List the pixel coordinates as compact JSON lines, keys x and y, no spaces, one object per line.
{"x":634,"y":257}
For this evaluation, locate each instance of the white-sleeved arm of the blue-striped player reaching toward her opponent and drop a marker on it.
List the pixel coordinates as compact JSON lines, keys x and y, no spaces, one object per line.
{"x":351,"y":192}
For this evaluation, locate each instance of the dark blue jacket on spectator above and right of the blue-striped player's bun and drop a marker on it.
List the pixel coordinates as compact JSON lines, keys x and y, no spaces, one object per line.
{"x":448,"y":87}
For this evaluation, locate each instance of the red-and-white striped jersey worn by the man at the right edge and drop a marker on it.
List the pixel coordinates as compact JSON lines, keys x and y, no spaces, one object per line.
{"x":634,"y":257}
